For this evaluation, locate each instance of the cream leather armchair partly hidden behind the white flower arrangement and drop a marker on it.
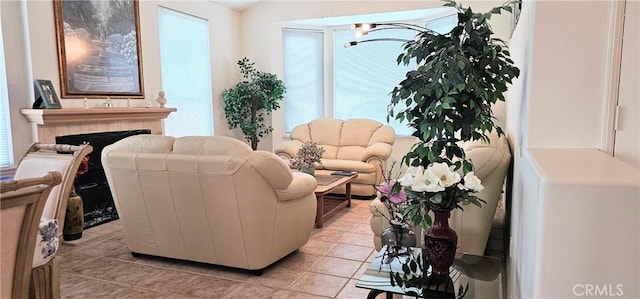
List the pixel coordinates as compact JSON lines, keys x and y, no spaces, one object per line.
{"x":473,"y":225}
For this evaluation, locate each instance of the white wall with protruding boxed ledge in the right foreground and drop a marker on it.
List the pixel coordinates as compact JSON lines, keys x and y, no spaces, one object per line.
{"x":574,"y":208}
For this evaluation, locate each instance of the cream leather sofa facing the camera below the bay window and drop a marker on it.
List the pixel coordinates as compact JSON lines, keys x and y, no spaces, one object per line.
{"x":360,"y":145}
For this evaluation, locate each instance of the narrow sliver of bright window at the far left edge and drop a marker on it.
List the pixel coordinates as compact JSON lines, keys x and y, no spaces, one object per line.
{"x":6,"y":151}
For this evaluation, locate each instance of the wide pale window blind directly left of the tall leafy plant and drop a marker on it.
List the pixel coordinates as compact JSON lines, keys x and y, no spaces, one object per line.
{"x":365,"y":74}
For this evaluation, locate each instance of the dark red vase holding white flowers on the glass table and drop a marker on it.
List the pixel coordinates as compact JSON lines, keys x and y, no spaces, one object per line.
{"x":440,"y":243}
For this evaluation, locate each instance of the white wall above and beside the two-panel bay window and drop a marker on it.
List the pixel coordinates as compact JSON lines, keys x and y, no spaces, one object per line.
{"x":262,"y":41}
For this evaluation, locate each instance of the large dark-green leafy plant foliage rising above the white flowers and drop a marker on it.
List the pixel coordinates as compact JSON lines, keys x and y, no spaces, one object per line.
{"x":460,"y":75}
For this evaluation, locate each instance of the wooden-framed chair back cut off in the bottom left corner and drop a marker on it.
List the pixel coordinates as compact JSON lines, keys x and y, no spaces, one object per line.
{"x":21,"y":205}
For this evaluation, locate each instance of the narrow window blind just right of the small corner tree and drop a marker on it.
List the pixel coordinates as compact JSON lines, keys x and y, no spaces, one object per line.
{"x":303,"y":76}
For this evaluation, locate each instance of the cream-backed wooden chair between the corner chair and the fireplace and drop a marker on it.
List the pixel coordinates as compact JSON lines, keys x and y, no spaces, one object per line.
{"x":39,"y":159}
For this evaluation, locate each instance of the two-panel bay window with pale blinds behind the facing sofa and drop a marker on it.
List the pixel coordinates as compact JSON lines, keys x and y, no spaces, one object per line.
{"x":362,"y":77}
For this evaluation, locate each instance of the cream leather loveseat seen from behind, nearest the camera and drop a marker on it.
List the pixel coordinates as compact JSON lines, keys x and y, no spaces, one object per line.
{"x":208,"y":199}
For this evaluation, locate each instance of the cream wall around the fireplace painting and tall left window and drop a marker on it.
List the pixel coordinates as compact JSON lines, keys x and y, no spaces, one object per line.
{"x":36,"y":58}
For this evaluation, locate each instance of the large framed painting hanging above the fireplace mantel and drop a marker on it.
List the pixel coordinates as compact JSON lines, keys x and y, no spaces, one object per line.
{"x":99,"y":53}
